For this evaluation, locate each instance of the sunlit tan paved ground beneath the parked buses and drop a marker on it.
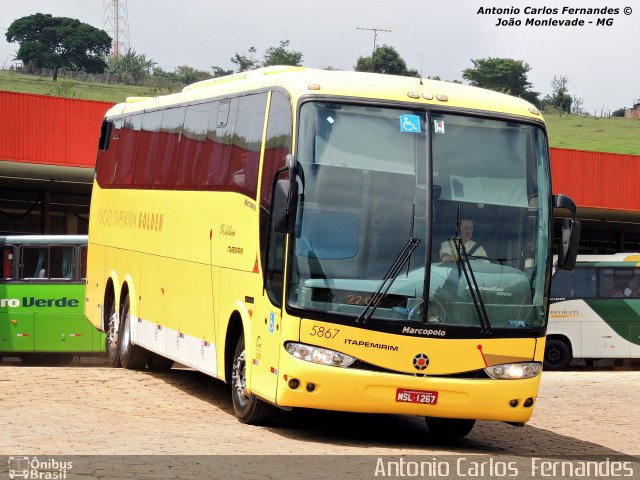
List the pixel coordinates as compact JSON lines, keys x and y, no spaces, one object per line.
{"x":99,"y":410}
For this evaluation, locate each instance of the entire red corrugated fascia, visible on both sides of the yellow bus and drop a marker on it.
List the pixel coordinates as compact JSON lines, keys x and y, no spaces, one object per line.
{"x":61,"y":131}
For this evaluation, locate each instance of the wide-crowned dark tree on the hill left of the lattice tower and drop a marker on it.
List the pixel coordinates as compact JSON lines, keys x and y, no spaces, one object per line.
{"x":59,"y":42}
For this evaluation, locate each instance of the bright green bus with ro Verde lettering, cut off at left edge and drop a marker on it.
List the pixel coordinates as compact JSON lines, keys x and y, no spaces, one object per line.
{"x":42,"y":299}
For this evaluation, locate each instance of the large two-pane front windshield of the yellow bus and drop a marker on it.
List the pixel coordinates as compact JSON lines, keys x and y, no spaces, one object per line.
{"x":472,"y":192}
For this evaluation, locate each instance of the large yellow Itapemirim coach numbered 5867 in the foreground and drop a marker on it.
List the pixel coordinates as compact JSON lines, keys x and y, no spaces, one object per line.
{"x":281,"y":230}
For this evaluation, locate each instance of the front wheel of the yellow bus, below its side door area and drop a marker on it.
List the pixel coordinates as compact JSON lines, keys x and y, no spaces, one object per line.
{"x":247,"y":407}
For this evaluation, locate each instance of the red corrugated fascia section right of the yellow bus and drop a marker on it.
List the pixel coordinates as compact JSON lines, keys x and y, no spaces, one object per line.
{"x":597,"y":180}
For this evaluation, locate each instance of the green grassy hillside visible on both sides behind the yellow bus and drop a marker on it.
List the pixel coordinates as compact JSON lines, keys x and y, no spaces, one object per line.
{"x":614,"y":135}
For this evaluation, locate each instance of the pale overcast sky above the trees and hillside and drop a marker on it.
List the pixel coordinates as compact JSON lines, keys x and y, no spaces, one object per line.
{"x":436,"y":37}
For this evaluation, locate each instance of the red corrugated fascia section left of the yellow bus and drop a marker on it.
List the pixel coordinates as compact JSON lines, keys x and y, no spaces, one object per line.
{"x":50,"y":130}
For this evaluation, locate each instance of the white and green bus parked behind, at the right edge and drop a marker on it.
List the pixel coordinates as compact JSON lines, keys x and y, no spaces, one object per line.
{"x":595,"y":310}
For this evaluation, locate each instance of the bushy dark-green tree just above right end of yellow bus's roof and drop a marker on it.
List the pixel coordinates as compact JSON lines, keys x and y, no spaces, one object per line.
{"x":502,"y":75}
